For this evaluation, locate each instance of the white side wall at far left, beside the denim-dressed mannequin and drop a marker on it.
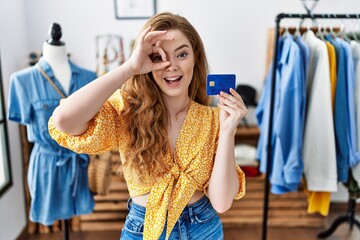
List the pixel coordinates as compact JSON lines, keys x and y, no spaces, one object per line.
{"x":14,"y":50}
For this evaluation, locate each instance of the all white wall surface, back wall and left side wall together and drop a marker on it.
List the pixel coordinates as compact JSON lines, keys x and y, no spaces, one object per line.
{"x":234,"y":33}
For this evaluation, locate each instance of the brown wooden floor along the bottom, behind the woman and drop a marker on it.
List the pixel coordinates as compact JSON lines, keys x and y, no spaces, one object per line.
{"x":245,"y":233}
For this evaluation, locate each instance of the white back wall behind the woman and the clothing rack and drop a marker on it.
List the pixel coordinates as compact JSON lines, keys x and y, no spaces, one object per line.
{"x":234,"y":32}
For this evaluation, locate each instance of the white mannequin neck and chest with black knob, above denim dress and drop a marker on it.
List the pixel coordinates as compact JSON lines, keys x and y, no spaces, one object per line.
{"x":54,"y":53}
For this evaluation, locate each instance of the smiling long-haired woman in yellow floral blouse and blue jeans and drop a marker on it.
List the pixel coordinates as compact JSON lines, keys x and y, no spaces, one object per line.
{"x":177,"y":153}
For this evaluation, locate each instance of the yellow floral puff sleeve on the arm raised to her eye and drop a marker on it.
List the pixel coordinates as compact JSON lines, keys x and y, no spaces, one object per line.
{"x":106,"y":130}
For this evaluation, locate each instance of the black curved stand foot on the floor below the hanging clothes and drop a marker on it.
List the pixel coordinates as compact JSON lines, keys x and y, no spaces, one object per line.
{"x":349,"y":217}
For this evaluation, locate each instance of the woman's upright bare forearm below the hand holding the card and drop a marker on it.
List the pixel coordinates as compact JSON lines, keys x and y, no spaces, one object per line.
{"x":224,"y":182}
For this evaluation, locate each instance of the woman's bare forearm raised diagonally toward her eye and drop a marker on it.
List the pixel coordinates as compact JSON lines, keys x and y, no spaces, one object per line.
{"x":74,"y":113}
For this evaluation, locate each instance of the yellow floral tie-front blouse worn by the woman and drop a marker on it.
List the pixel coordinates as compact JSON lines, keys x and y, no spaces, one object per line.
{"x":190,"y":169}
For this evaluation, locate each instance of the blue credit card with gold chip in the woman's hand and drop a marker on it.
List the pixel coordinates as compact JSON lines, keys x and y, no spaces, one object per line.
{"x":215,"y":83}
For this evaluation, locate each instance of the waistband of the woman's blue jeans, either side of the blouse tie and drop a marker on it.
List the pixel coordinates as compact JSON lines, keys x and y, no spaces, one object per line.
{"x":189,"y":210}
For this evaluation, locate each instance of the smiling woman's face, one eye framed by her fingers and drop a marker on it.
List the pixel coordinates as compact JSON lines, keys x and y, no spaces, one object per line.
{"x":175,"y":79}
